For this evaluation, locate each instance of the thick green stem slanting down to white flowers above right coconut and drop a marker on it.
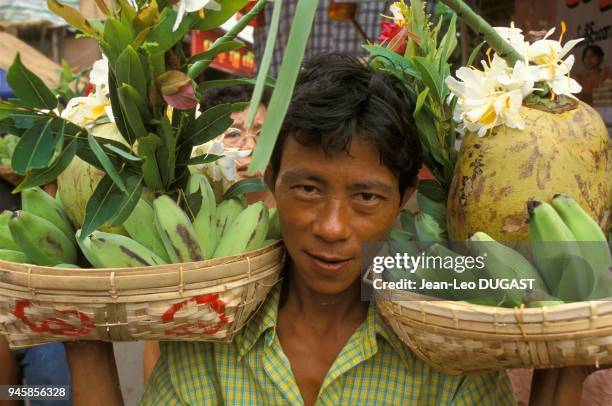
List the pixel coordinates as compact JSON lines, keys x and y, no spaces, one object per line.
{"x":483,"y":28}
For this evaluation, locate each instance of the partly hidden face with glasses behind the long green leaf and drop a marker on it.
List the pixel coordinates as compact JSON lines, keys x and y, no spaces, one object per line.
{"x":238,"y":136}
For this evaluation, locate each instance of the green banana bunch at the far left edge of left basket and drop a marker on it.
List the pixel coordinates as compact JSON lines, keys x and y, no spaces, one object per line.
{"x":40,"y":233}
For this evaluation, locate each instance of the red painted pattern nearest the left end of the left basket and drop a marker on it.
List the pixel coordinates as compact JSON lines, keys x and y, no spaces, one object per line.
{"x":54,"y":325}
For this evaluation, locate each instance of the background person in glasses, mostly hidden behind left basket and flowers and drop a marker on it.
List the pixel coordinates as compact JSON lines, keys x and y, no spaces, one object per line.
{"x":237,"y":136}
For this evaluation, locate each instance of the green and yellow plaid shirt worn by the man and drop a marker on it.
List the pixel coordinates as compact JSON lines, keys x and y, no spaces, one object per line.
{"x":374,"y":368}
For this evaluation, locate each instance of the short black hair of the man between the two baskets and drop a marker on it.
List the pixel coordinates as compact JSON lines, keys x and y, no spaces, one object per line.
{"x":338,"y":97}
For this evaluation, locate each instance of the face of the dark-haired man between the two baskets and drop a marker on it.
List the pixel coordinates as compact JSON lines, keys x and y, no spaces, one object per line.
{"x":328,"y":206}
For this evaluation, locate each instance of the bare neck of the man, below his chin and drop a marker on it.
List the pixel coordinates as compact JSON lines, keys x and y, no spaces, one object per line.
{"x":322,"y":311}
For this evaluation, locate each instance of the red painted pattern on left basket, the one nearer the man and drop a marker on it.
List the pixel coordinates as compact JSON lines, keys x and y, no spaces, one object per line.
{"x":212,"y":300}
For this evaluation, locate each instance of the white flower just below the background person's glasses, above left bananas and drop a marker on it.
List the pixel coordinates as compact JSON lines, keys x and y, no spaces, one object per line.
{"x":223,"y":169}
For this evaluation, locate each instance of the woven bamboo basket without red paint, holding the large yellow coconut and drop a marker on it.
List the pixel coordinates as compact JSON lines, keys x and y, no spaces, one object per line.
{"x":458,"y":337}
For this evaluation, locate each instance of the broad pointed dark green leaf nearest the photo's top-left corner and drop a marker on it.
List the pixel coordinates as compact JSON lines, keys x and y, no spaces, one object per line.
{"x":30,"y":89}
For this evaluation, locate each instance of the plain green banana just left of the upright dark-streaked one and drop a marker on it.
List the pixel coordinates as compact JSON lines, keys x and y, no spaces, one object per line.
{"x":140,"y":225}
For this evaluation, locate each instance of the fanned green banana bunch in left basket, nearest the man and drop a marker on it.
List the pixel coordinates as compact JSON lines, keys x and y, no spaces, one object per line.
{"x":164,"y":232}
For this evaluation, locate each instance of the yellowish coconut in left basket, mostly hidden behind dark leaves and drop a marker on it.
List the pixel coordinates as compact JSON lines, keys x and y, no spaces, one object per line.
{"x":77,"y":183}
